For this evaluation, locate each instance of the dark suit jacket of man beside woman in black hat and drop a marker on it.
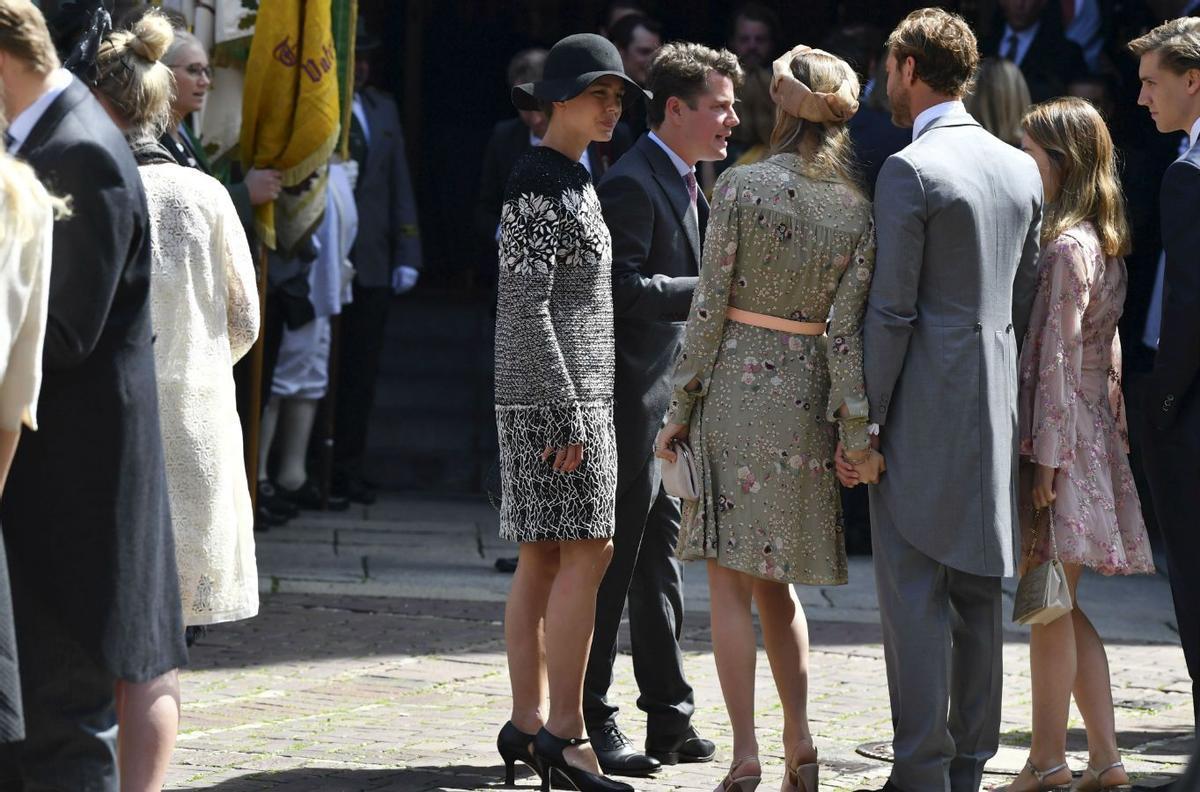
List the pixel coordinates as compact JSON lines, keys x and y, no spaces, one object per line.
{"x":656,"y":263}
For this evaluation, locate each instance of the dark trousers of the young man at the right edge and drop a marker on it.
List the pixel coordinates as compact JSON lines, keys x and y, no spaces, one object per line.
{"x":1172,"y":461}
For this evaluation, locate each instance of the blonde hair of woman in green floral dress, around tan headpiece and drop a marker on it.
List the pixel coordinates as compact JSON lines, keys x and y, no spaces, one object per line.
{"x":831,"y":154}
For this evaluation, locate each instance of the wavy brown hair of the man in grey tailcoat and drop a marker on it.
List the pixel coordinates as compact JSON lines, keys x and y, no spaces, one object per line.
{"x":943,"y":47}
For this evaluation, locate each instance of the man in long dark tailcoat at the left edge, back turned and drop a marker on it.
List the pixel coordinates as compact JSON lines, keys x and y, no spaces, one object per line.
{"x":86,"y":518}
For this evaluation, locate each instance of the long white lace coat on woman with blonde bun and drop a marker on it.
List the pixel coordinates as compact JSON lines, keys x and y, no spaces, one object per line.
{"x":205,"y":304}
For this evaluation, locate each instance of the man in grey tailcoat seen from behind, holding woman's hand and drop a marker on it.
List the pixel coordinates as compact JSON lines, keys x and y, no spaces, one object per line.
{"x":957,"y":217}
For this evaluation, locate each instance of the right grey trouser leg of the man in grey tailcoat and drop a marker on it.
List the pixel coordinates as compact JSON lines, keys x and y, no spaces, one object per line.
{"x":976,"y":679}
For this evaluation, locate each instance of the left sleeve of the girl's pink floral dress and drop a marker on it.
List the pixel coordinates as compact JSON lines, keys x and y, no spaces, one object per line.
{"x":1057,"y":363}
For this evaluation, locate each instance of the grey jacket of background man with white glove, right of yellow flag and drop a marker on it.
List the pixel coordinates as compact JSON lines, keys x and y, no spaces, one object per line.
{"x":388,"y":232}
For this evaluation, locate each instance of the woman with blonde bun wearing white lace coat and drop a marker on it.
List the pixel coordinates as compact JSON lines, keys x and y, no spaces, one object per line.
{"x":205,"y":308}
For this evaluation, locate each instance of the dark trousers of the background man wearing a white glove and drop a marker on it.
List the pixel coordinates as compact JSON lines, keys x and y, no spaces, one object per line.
{"x":358,"y":369}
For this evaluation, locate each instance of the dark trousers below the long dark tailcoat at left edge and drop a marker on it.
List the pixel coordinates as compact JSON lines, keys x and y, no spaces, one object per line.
{"x":70,"y":712}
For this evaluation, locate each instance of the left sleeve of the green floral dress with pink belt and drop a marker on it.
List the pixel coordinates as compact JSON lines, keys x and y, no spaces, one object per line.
{"x":706,"y":321}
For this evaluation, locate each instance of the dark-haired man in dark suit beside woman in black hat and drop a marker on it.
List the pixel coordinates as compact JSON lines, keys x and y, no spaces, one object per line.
{"x":657,"y":218}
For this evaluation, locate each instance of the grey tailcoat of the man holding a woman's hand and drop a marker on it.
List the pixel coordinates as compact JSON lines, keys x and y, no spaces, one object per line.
{"x":957,"y":215}
